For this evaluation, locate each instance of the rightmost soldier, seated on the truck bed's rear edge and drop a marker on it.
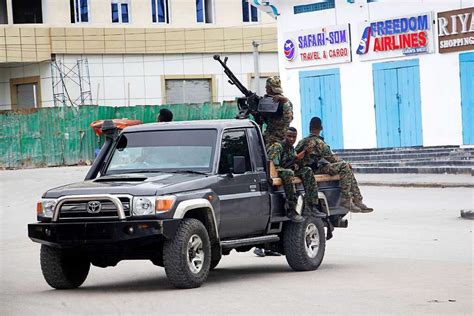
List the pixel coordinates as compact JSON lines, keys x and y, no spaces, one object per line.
{"x":318,"y":152}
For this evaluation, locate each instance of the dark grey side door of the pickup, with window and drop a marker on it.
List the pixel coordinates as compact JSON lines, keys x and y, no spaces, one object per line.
{"x":243,"y":205}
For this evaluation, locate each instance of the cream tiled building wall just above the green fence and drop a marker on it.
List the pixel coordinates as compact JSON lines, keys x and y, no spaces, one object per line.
{"x":113,"y":76}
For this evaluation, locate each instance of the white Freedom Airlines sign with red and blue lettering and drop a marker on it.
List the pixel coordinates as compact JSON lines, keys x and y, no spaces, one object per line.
{"x":396,"y":37}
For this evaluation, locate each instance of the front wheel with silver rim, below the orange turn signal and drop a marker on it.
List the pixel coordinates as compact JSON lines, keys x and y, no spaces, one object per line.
{"x":176,"y":255}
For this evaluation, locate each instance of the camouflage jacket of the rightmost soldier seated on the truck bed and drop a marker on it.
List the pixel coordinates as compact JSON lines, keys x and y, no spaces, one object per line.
{"x":316,"y":149}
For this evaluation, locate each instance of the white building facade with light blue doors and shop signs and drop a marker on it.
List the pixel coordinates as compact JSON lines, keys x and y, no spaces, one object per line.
{"x":386,"y":73}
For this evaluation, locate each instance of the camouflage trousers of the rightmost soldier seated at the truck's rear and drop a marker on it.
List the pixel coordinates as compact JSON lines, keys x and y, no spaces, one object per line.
{"x":349,"y":186}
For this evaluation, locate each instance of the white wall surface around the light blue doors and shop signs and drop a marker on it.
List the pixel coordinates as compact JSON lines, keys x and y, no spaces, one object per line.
{"x":439,"y":73}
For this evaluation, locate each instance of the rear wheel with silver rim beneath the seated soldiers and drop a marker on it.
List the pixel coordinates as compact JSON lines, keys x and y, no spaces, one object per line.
{"x":300,"y":256}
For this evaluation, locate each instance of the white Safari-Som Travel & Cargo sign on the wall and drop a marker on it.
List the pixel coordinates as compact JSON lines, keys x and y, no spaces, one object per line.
{"x":319,"y":46}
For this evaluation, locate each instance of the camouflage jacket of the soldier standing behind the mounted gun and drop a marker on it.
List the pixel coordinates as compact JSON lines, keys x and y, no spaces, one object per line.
{"x":278,"y":125}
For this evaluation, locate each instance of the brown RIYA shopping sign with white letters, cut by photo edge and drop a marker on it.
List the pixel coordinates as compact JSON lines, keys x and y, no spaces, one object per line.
{"x":456,"y":30}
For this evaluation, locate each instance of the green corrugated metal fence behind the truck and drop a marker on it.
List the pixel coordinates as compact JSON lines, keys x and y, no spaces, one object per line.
{"x":62,"y":135}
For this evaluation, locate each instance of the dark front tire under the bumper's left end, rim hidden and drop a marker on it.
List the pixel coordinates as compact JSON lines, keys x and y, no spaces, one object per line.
{"x":62,"y":269}
